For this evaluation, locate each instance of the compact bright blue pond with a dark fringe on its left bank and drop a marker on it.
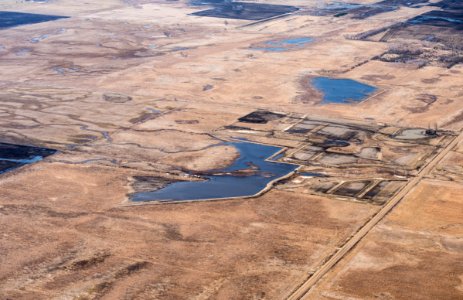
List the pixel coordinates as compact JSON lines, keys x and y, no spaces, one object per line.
{"x":342,"y":90}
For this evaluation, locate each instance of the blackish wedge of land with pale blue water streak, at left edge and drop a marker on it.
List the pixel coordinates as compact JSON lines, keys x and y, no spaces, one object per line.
{"x":15,"y":156}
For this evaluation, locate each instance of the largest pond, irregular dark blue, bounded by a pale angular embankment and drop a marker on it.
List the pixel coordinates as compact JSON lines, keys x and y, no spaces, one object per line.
{"x":224,"y":184}
